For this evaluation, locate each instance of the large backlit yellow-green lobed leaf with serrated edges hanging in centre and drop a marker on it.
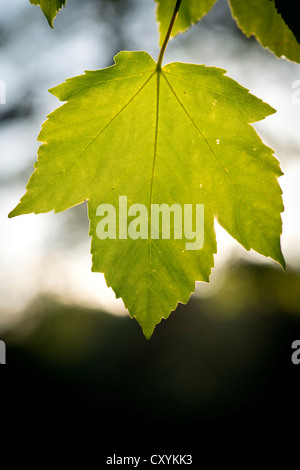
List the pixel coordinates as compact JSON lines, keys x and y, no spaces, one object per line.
{"x":176,"y":136}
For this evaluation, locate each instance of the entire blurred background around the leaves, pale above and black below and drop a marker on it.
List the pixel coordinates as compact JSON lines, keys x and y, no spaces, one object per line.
{"x":216,"y":379}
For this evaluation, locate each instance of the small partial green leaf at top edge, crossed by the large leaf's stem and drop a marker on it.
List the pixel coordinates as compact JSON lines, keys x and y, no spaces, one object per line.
{"x":190,"y":12}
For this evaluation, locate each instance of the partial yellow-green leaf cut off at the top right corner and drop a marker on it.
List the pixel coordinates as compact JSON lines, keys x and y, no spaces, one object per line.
{"x":261,"y":19}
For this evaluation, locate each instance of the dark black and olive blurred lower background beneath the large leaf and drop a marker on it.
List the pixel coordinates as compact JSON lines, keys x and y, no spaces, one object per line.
{"x":215,"y":380}
